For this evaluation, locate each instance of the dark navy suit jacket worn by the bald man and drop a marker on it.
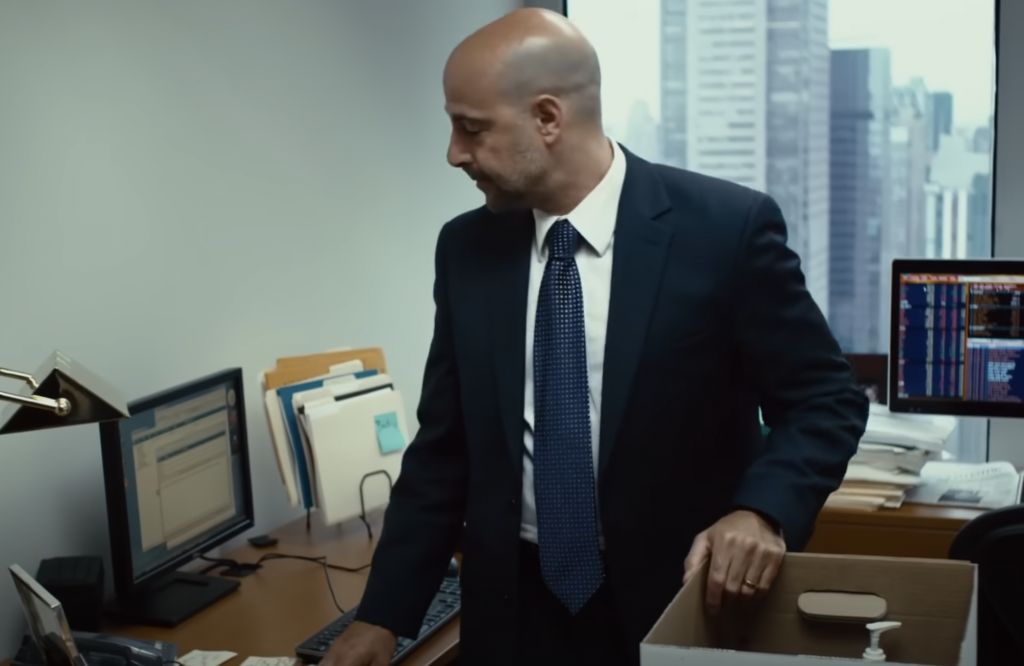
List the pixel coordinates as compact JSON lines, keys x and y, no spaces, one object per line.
{"x":709,"y":319}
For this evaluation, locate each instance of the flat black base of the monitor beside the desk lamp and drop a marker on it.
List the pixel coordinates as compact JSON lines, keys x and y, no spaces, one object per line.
{"x":170,"y":601}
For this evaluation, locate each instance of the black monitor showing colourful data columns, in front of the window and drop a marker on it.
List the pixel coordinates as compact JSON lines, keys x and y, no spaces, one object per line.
{"x":958,"y":338}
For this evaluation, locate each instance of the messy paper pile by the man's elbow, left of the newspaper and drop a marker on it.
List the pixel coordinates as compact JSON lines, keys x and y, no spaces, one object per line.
{"x":890,"y":460}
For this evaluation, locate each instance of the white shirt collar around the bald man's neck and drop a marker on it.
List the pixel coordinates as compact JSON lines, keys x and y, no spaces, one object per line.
{"x":595,"y":218}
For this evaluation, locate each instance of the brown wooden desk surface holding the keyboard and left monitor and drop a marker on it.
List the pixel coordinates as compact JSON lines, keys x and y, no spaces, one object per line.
{"x":287,"y":601}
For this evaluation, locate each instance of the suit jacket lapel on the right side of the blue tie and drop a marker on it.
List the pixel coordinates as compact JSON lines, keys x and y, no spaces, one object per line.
{"x":639,"y":254}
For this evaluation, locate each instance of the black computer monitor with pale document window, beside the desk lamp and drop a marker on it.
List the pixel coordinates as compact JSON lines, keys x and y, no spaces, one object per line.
{"x":178,"y":483}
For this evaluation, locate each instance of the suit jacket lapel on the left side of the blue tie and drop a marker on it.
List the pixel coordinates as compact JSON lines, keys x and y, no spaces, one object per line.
{"x":507,"y":307}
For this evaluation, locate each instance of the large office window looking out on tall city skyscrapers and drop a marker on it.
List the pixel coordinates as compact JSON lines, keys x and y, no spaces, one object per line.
{"x":871,"y":122}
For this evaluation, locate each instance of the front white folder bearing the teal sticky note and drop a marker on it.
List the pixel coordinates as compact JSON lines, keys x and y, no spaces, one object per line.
{"x":347,"y":445}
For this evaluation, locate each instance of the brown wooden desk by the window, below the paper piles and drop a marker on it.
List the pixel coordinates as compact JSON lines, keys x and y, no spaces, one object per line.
{"x":912,"y":531}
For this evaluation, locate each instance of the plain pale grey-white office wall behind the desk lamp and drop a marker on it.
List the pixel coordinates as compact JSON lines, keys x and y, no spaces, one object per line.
{"x":191,"y":186}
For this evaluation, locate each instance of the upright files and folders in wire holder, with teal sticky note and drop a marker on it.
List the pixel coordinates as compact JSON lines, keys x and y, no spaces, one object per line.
{"x":339,"y":431}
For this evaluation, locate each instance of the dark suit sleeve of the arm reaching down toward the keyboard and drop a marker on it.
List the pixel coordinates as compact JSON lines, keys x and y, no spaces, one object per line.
{"x":425,"y":516}
